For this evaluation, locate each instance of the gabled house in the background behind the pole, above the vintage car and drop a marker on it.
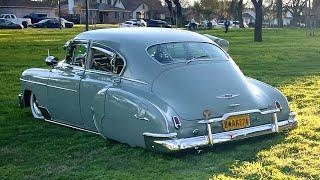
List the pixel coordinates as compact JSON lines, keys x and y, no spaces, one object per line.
{"x":117,"y":11}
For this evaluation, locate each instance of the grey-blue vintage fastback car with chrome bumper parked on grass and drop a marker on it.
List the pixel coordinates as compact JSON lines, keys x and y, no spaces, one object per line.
{"x":162,"y":89}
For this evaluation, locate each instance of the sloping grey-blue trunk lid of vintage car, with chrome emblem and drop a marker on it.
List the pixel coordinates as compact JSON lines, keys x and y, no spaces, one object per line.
{"x":216,"y":86}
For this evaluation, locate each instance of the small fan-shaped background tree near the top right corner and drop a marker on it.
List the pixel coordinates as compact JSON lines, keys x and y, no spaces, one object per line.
{"x":295,"y":7}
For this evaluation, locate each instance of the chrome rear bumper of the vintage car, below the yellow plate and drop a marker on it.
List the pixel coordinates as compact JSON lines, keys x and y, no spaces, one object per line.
{"x":169,"y":142}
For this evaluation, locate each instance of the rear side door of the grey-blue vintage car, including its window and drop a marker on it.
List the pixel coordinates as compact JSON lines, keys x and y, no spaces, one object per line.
{"x":100,"y":75}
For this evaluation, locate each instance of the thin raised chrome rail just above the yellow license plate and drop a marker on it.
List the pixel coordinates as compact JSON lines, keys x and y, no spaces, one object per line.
{"x":225,"y":116}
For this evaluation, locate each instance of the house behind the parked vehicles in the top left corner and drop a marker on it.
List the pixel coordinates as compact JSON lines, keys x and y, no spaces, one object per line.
{"x":23,"y":7}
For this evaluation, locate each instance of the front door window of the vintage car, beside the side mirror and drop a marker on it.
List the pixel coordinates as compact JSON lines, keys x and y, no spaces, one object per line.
{"x":76,"y":54}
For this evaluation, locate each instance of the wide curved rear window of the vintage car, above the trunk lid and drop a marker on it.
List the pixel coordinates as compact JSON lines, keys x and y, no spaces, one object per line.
{"x":185,"y":52}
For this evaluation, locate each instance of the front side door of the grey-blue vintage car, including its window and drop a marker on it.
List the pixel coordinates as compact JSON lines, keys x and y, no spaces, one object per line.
{"x":63,"y":85}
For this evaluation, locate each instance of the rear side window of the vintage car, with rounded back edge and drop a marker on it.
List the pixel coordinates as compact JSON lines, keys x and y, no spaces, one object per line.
{"x":105,"y":60}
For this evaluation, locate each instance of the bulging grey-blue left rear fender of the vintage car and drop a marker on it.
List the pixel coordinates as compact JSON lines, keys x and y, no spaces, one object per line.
{"x":126,"y":101}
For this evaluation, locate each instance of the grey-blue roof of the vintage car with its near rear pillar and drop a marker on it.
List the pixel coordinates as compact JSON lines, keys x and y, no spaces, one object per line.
{"x":132,"y":43}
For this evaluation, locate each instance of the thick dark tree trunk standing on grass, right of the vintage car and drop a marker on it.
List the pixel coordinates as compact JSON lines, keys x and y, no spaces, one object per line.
{"x":258,"y":20}
